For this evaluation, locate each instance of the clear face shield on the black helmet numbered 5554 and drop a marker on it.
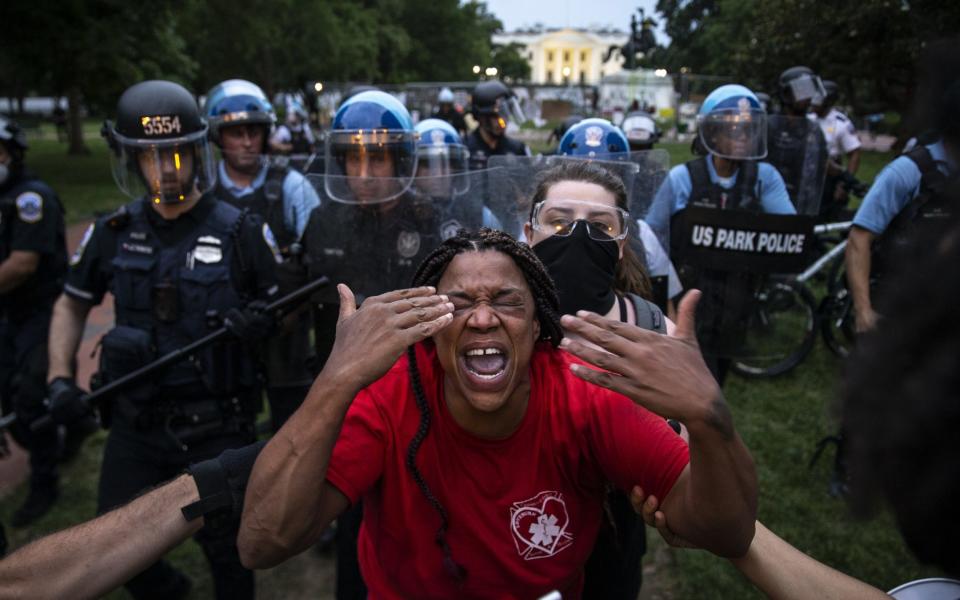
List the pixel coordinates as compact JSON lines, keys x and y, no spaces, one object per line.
{"x":167,"y":171}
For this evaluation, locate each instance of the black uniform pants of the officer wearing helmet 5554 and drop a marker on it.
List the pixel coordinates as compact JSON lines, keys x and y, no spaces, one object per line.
{"x":135,"y":461}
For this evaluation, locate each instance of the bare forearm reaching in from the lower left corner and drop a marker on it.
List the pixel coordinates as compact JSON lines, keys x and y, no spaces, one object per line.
{"x":90,"y":559}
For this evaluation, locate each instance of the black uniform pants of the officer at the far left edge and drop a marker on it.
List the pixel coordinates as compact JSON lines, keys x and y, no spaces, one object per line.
{"x":23,"y":385}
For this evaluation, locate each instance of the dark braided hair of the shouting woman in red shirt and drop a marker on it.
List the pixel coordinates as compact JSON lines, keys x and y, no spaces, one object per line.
{"x":547,"y":304}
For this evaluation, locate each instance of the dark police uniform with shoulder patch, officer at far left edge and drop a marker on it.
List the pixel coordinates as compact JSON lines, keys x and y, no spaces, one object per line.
{"x":31,"y":220}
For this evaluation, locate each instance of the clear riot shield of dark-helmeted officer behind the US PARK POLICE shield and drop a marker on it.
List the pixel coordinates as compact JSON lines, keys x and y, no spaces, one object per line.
{"x":798,"y":150}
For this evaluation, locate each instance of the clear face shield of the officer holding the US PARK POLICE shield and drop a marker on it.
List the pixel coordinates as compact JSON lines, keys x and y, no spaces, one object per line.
{"x":734,"y":133}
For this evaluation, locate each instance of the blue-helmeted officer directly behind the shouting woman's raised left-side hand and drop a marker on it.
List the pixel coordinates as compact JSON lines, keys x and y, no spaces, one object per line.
{"x":364,"y":234}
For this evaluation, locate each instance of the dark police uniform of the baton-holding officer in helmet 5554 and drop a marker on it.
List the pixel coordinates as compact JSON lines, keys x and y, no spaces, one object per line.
{"x":172,"y":281}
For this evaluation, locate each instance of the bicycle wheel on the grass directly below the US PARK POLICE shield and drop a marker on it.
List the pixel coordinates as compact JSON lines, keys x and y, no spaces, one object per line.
{"x":780,"y":332}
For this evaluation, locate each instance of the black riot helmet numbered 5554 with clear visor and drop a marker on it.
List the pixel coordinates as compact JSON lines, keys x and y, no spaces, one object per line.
{"x":158,"y":143}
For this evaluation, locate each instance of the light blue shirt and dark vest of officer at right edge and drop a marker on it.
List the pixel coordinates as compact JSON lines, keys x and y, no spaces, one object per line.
{"x":908,"y":193}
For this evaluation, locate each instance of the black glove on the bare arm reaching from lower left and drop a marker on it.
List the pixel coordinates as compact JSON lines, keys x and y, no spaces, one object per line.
{"x":222,"y":482}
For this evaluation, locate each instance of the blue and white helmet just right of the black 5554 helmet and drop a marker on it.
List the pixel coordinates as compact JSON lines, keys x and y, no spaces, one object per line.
{"x":238,"y":102}
